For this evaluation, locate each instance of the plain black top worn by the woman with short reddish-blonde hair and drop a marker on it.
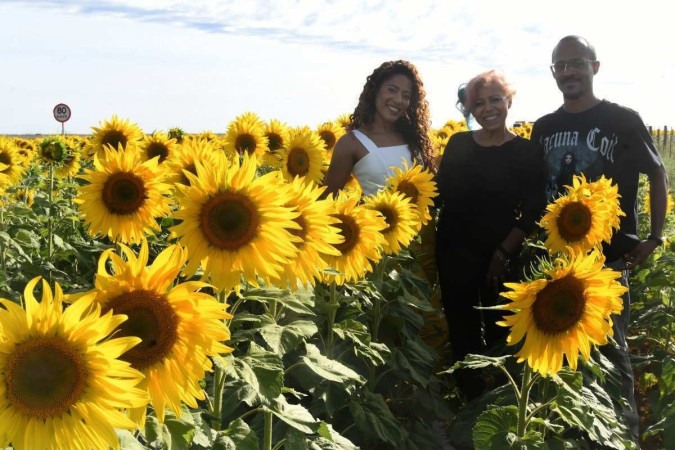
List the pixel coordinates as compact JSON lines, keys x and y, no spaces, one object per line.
{"x":484,"y":192}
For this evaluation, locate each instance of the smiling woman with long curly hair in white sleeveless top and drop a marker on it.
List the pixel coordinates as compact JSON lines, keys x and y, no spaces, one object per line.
{"x":388,"y":128}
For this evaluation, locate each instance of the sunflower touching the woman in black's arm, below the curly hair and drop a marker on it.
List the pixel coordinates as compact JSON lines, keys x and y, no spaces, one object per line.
{"x":417,"y":184}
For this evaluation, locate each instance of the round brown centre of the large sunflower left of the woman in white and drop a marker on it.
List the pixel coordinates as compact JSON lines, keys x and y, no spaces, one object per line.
{"x":229,"y":220}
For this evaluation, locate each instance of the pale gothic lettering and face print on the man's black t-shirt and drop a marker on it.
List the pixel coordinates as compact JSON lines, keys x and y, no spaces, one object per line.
{"x":575,"y":152}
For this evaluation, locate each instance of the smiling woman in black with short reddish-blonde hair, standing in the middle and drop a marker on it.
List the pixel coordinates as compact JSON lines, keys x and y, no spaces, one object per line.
{"x":491,"y":194}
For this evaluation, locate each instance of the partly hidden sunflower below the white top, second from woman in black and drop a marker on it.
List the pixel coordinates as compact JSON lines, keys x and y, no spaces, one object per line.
{"x":400,"y":215}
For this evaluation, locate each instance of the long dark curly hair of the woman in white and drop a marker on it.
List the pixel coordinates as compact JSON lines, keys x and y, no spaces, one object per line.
{"x":414,"y":124}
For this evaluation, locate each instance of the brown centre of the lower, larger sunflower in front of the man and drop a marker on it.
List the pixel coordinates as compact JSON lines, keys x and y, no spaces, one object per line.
{"x":559,"y":306}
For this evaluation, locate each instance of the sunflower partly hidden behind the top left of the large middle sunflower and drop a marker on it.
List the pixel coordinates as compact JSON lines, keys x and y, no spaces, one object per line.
{"x":191,"y":152}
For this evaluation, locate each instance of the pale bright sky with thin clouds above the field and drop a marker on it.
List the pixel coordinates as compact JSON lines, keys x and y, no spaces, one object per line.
{"x":199,"y":64}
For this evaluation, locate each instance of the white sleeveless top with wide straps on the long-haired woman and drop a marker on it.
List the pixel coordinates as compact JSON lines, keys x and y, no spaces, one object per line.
{"x":373,"y":169}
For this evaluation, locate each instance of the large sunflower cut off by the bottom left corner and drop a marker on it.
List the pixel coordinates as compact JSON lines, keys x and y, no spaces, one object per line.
{"x":62,"y":384}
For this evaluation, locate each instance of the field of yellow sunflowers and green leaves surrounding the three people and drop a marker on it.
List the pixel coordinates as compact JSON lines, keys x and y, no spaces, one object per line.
{"x":200,"y":291}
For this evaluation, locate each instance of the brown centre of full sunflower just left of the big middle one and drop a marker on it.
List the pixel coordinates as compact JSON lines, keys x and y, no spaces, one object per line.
{"x":123,"y":193}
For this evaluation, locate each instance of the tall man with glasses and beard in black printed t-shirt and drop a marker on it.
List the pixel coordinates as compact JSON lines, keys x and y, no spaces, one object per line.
{"x":611,"y":140}
